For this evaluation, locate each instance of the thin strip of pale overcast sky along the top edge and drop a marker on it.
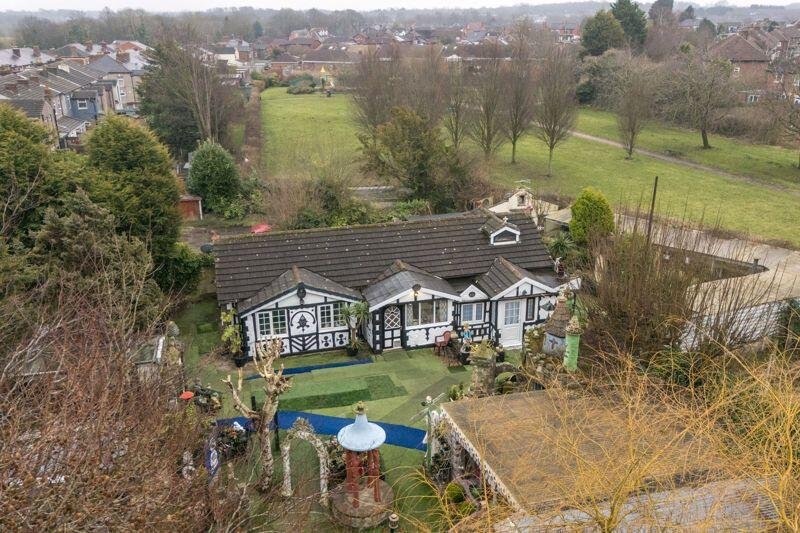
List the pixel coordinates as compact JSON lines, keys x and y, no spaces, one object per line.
{"x":181,"y":5}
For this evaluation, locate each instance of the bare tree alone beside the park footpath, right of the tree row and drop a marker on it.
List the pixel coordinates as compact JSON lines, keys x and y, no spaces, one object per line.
{"x":633,"y":96}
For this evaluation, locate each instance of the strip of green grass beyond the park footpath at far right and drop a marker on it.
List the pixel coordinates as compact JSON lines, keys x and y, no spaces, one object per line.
{"x":772,"y":164}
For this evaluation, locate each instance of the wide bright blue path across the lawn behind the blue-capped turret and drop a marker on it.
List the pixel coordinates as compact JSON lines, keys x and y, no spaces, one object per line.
{"x":397,"y":435}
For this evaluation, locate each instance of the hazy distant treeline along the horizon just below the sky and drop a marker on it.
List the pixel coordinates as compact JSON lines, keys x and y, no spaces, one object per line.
{"x":49,"y":29}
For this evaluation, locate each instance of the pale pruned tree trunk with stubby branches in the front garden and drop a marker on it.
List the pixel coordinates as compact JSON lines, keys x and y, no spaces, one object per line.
{"x":275,"y":384}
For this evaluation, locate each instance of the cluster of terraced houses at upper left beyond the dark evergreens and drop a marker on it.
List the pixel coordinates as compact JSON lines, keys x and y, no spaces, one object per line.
{"x":70,"y":88}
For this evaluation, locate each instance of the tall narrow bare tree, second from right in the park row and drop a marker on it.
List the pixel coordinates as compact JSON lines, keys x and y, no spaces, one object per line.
{"x":519,"y":86}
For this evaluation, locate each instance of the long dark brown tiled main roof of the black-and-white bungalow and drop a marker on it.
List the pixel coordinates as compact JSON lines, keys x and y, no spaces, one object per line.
{"x":356,"y":256}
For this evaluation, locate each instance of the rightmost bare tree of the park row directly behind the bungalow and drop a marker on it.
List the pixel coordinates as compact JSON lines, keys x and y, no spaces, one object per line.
{"x":556,"y":107}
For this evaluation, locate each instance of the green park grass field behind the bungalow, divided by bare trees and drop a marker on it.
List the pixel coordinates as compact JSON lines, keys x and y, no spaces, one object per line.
{"x":301,"y":128}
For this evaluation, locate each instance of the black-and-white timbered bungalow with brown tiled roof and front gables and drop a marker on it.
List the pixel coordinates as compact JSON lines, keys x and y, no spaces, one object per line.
{"x":419,"y":279}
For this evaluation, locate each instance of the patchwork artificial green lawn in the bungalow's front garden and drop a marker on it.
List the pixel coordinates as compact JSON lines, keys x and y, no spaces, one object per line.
{"x":393,"y":386}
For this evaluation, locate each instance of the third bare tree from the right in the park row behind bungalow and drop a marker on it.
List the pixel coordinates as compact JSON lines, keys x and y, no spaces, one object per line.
{"x":486,"y":125}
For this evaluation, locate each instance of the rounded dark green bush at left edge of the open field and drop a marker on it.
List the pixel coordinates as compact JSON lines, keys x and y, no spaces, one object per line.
{"x":214,"y":177}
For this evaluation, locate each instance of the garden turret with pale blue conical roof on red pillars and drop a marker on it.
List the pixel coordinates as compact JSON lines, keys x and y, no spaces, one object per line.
{"x":364,"y":500}
